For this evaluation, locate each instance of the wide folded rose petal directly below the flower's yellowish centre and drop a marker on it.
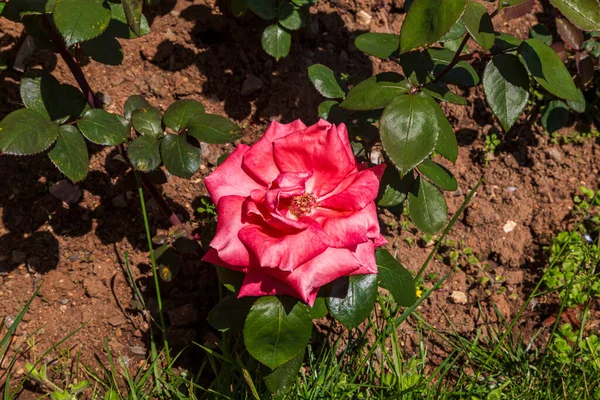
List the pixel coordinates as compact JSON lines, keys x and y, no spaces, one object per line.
{"x":285,"y":251}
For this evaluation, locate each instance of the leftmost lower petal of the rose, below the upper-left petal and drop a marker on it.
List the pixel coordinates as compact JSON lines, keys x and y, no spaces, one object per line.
{"x":226,"y":242}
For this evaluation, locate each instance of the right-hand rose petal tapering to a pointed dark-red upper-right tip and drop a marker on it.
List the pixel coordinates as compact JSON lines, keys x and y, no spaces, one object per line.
{"x":355,"y":191}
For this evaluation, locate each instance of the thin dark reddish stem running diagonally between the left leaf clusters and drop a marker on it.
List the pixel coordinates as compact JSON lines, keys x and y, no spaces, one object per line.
{"x":77,"y":73}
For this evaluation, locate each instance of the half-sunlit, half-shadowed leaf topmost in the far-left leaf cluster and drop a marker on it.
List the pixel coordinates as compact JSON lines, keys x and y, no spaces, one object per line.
{"x":41,"y":92}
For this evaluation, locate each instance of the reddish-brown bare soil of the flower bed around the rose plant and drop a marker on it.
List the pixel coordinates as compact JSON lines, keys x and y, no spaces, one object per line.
{"x":197,"y":50}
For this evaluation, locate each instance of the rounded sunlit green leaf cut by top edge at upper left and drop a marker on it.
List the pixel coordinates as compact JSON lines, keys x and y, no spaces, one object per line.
{"x":81,"y":20}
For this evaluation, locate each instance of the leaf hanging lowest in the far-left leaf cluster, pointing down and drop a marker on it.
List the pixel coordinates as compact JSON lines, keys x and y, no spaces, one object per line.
{"x":70,"y":154}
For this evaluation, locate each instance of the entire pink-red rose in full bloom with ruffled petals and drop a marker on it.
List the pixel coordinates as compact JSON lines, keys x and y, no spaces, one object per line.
{"x":295,"y":211}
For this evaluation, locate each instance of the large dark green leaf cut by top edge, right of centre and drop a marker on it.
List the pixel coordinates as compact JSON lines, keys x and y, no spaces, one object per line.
{"x":427,"y":21}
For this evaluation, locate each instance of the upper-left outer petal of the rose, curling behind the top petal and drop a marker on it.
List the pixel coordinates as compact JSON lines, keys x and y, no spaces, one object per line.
{"x":258,"y":161}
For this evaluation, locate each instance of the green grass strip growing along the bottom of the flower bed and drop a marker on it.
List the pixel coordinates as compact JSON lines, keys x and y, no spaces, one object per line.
{"x":558,"y":361}
